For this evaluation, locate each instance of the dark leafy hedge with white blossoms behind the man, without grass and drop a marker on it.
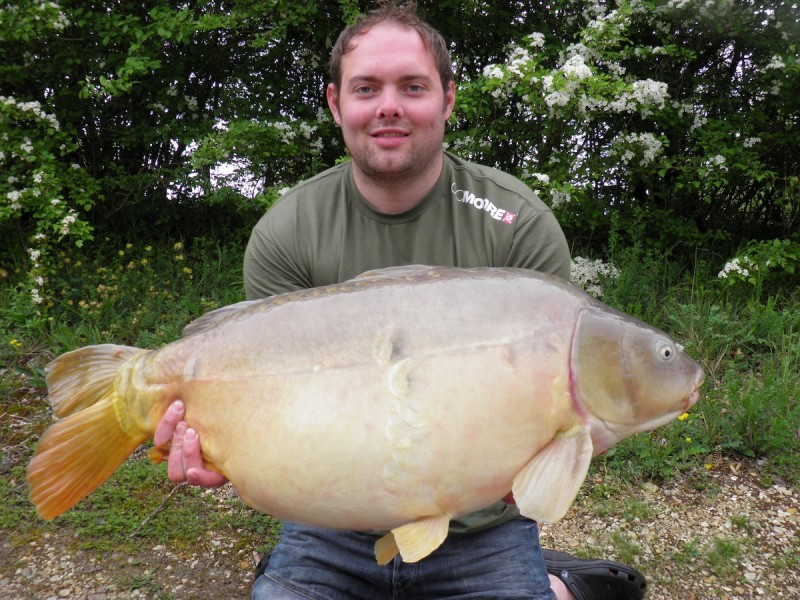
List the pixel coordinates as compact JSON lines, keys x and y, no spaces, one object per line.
{"x":120,"y":117}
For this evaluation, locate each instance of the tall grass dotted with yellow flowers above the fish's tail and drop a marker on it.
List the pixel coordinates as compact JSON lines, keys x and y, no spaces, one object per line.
{"x":128,"y":293}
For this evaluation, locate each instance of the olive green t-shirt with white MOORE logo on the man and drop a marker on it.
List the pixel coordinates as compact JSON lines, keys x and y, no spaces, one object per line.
{"x":323,"y":232}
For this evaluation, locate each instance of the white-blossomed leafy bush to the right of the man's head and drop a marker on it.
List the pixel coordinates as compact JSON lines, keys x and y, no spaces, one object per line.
{"x":673,"y":109}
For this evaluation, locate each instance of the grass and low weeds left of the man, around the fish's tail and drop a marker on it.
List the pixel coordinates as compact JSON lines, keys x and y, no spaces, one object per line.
{"x":122,"y":294}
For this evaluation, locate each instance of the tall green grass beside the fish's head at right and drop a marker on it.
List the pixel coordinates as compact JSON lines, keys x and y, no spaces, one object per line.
{"x":748,"y":343}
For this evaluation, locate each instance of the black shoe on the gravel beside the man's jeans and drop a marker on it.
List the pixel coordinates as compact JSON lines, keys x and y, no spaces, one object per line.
{"x":596,"y":579}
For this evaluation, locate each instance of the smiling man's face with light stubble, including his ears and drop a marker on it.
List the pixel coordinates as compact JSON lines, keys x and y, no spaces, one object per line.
{"x":391,"y":105}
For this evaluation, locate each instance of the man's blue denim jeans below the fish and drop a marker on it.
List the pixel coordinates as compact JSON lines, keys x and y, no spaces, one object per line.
{"x":321,"y":564}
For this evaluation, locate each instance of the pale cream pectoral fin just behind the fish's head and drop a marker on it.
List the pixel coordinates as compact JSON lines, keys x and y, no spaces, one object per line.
{"x":545,"y":489}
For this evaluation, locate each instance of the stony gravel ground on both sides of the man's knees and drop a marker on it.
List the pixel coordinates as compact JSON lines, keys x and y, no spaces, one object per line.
{"x":719,"y":534}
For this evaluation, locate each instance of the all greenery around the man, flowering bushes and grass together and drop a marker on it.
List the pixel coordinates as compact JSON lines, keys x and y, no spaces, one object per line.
{"x":140,"y":141}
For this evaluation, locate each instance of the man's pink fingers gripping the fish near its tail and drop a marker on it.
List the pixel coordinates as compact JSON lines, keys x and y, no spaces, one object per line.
{"x":185,"y":462}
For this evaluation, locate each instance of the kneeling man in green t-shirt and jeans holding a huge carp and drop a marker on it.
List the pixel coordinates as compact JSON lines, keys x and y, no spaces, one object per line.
{"x":402,"y":200}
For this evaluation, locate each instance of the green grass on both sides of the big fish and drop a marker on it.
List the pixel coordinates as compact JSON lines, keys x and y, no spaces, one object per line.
{"x":144,"y":294}
